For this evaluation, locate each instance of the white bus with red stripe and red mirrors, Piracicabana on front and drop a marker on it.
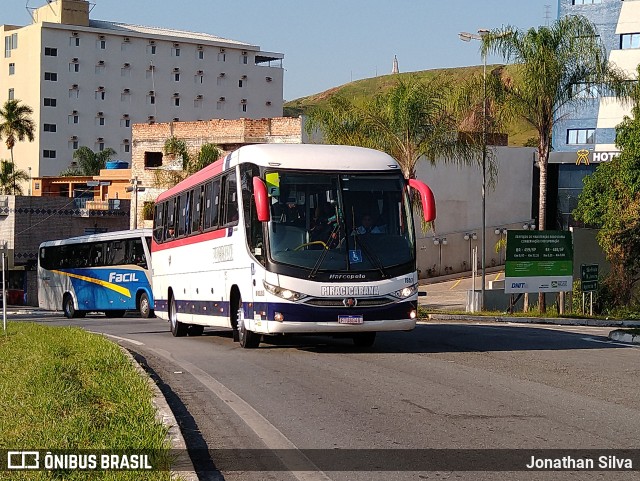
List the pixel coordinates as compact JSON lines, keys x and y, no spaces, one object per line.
{"x":289,"y":239}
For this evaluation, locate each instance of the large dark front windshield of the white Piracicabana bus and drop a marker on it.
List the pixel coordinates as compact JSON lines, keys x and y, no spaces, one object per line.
{"x":339,"y":222}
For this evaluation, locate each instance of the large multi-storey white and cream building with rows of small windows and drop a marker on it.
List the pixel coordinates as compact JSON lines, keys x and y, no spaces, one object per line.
{"x":88,"y":81}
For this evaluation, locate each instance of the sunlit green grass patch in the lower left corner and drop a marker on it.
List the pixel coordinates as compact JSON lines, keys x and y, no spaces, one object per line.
{"x":62,"y":388}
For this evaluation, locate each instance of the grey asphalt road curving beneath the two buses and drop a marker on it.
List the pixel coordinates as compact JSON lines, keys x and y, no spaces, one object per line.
{"x":442,"y":386}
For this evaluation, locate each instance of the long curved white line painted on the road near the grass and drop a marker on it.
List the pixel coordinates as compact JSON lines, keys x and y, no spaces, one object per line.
{"x":272,"y":437}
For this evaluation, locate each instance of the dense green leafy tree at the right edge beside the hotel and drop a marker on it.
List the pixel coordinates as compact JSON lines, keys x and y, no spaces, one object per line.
{"x":610,"y":200}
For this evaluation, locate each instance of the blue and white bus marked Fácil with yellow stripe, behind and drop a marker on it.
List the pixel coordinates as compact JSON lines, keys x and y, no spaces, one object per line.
{"x":108,"y":272}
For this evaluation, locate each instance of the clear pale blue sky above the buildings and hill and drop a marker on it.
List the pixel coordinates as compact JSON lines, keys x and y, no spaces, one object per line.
{"x":330,"y":42}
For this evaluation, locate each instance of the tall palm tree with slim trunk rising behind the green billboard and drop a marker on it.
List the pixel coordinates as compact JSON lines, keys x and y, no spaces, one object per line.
{"x":552,"y":62}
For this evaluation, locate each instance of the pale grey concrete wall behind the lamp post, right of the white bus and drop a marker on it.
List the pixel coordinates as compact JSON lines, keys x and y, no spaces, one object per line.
{"x":458,"y":194}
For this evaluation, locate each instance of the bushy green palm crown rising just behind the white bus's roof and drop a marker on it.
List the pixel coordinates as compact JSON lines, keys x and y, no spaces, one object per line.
{"x":412,"y":119}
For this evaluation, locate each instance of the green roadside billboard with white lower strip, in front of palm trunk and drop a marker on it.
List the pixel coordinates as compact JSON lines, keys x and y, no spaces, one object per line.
{"x":538,"y":261}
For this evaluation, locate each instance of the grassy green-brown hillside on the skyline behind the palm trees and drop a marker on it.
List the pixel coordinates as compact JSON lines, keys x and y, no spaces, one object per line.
{"x":519,"y":132}
